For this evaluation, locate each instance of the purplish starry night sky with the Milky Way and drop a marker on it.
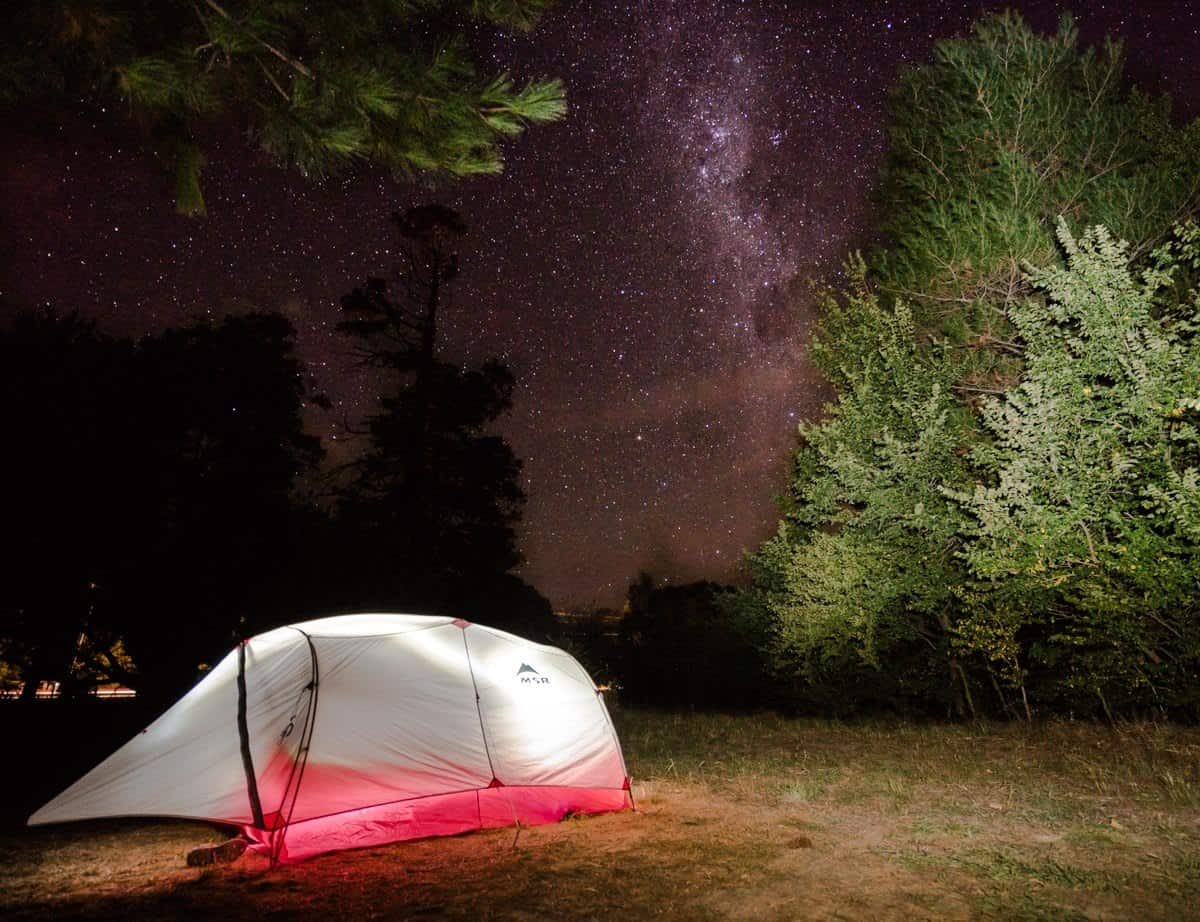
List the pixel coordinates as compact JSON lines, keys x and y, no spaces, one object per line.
{"x":641,"y":266}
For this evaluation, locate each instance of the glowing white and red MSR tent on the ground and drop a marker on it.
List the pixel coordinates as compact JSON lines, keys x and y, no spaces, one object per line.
{"x":364,"y":729}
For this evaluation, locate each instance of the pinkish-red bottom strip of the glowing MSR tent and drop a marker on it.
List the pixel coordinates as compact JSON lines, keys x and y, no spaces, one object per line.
{"x":446,"y":815}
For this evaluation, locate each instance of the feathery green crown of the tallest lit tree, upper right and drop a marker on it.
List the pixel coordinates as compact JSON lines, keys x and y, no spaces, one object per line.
{"x":1005,"y":131}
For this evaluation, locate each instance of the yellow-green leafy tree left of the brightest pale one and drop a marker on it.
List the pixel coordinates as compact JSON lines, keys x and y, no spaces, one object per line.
{"x":865,"y":564}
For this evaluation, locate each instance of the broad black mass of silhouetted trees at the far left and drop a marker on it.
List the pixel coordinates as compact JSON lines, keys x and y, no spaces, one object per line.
{"x":153,"y":493}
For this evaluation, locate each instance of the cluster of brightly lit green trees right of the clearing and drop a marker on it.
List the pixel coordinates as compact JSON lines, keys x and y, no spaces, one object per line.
{"x":958,"y":520}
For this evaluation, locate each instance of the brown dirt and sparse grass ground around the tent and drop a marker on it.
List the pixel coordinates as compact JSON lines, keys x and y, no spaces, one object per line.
{"x":755,"y":818}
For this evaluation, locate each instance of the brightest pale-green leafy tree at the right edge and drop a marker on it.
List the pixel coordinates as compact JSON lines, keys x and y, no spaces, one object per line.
{"x":1087,"y":531}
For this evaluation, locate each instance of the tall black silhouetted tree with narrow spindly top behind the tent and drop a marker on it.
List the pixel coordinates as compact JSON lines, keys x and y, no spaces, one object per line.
{"x":435,"y":499}
